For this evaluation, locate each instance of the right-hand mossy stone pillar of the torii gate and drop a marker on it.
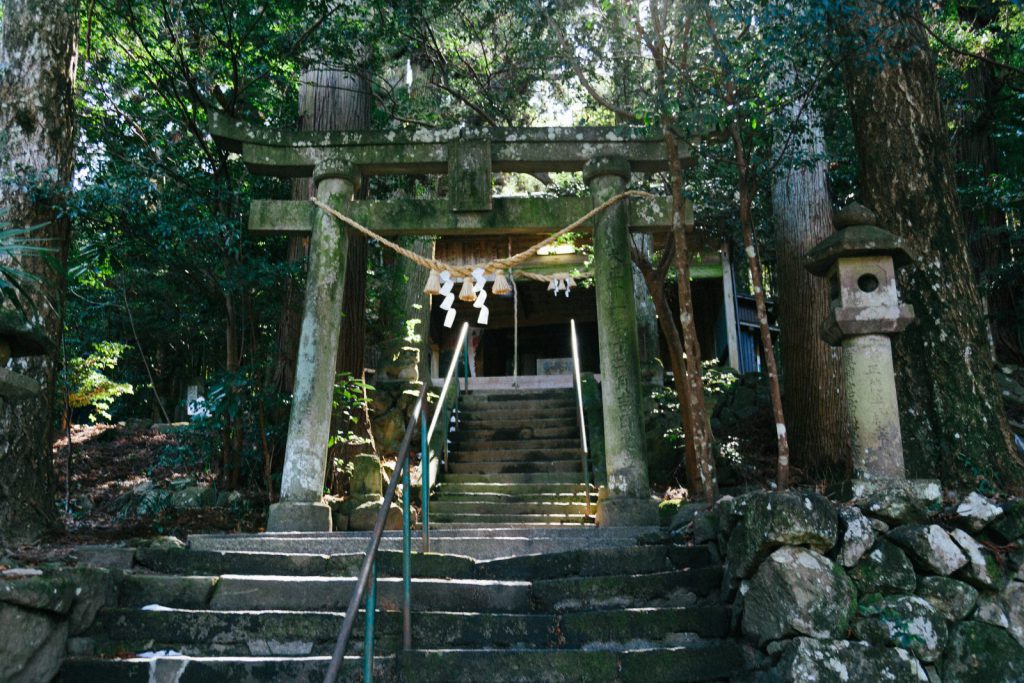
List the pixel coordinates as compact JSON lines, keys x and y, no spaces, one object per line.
{"x":628,"y":502}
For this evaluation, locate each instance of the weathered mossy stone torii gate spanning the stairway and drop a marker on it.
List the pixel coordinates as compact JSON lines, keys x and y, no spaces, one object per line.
{"x":338,"y":162}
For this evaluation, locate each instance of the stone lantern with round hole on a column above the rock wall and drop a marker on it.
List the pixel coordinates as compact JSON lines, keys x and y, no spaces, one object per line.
{"x":861,"y":262}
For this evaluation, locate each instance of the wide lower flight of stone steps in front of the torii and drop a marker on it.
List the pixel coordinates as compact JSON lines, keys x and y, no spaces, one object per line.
{"x":502,"y":606}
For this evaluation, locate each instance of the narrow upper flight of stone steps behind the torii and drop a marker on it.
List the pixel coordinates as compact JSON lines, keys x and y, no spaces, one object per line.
{"x":516,"y":460}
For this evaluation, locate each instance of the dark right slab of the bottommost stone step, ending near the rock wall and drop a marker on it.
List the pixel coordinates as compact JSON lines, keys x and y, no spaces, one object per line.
{"x":697,"y":661}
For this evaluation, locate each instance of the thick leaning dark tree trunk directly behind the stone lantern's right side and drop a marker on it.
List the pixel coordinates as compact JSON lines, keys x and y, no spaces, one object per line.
{"x":952,"y":413}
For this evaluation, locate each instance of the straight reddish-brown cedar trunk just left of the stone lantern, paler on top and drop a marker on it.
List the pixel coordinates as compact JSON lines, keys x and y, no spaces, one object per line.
{"x":814,"y":401}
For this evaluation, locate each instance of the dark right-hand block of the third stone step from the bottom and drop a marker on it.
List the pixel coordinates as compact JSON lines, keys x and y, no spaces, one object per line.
{"x":672,"y":588}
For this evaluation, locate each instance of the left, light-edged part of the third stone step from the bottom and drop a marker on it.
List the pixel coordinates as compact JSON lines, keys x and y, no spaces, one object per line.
{"x":233,"y":592}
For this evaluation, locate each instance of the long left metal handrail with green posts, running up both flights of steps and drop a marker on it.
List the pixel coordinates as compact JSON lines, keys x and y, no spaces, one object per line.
{"x":369,"y":568}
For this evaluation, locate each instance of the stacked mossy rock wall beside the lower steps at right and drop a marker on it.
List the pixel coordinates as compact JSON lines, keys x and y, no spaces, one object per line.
{"x":878,"y":590}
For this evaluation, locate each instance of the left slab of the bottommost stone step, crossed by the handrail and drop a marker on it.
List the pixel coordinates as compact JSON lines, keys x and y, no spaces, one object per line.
{"x":206,"y":670}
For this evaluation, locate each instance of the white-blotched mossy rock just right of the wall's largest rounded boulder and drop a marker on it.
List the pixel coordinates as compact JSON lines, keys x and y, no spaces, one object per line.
{"x":907,"y":622}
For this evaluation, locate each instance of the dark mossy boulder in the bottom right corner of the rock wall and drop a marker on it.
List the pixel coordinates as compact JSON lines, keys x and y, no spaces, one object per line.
{"x":983,"y":654}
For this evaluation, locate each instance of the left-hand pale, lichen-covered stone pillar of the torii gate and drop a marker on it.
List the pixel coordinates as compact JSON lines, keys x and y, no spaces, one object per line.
{"x":302,"y":507}
